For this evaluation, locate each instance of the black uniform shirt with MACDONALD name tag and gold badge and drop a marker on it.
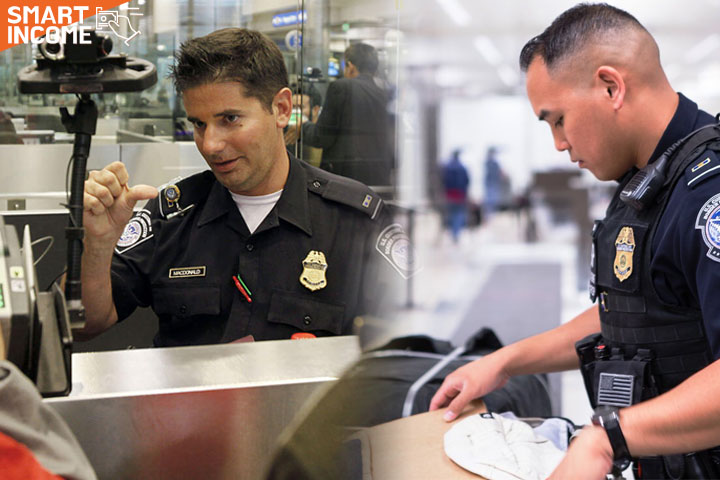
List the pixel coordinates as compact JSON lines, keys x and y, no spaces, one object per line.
{"x":182,"y":264}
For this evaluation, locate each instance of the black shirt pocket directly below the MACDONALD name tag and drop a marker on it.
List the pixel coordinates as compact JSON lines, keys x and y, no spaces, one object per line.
{"x":187,"y":301}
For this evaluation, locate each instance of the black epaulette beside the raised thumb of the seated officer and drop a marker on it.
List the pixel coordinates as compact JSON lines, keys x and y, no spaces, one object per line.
{"x":180,"y":195}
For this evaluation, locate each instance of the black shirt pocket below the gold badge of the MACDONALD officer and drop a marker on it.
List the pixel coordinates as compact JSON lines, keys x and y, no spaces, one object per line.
{"x":306,"y":314}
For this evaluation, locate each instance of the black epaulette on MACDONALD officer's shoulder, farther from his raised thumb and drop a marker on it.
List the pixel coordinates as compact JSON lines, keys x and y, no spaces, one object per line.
{"x":345,"y":191}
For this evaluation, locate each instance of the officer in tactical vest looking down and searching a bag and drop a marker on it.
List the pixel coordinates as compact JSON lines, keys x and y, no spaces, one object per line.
{"x":649,"y":346}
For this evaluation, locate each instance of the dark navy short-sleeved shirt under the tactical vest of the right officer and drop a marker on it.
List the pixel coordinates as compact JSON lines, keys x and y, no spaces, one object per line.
{"x":682,"y":272}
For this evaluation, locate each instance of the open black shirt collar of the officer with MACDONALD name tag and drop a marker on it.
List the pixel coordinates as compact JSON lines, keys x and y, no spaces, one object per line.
{"x":292,"y":206}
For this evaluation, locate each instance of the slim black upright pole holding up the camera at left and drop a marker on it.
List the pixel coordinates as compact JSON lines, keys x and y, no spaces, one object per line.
{"x":82,"y":124}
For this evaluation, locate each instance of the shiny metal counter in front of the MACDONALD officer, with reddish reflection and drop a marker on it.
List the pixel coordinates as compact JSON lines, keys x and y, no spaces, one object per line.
{"x":210,"y":412}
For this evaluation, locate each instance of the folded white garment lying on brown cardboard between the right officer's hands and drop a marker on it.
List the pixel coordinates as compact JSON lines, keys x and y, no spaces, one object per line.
{"x":500,"y":448}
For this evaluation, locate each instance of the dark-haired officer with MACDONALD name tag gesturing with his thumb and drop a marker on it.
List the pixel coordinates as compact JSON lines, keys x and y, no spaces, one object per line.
{"x":262,"y":244}
